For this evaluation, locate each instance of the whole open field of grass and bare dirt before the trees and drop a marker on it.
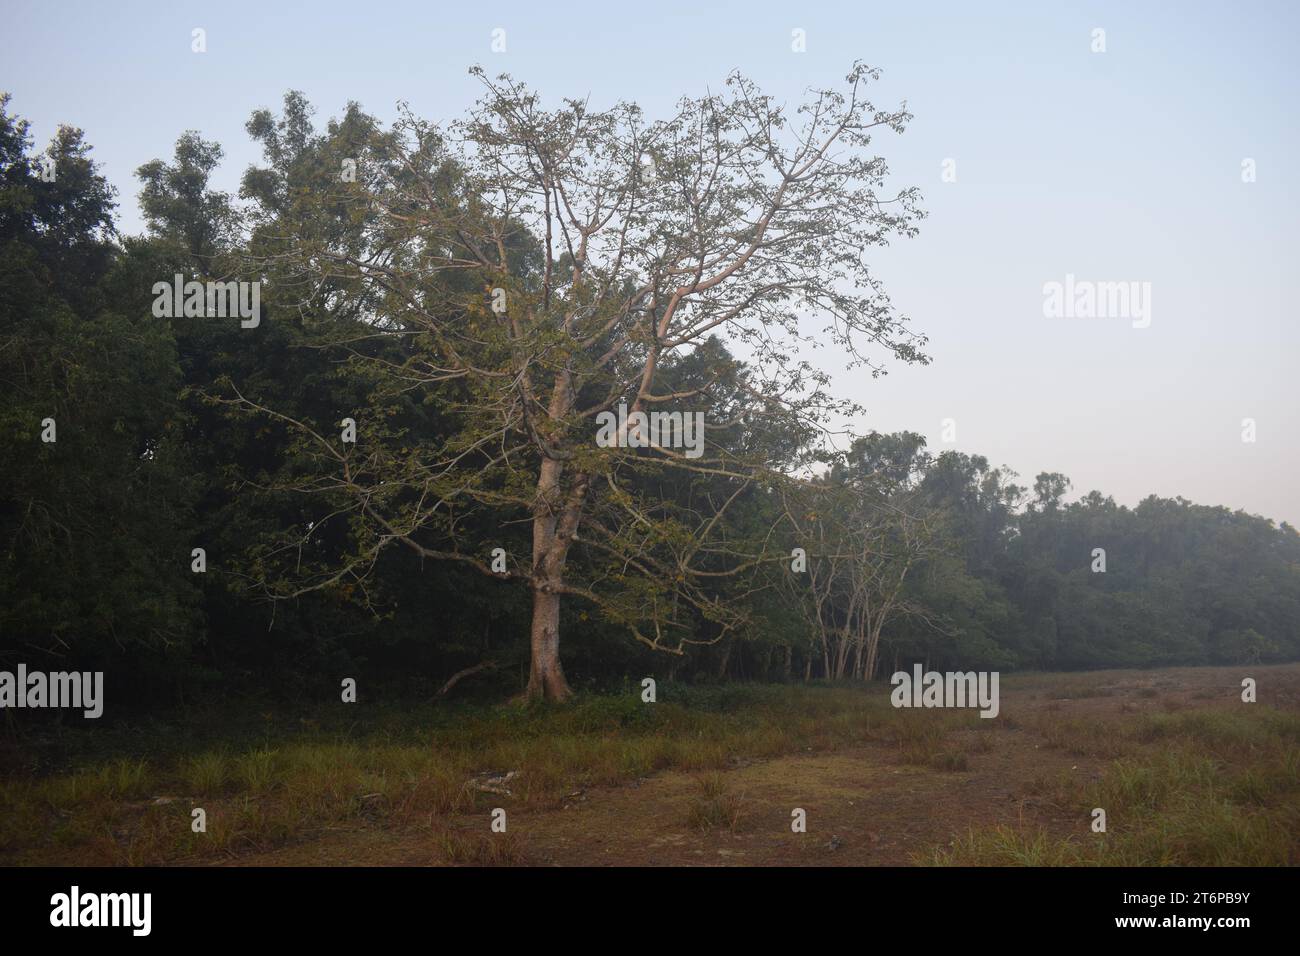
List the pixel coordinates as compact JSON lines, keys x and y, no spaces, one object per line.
{"x":1186,"y":772}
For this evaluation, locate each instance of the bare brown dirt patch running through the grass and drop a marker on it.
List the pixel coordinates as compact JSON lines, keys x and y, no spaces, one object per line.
{"x":865,"y":807}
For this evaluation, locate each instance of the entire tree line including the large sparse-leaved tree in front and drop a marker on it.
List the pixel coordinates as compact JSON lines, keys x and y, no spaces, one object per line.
{"x":395,"y":474}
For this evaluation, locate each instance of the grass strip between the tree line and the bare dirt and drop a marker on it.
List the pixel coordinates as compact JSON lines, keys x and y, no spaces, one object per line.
{"x":293,"y":780}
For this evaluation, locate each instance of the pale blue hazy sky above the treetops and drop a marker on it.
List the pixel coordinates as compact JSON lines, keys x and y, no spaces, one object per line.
{"x":1124,"y":166}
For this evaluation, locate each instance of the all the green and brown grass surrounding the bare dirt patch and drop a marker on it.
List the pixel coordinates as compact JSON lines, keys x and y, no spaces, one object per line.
{"x":1207,"y":784}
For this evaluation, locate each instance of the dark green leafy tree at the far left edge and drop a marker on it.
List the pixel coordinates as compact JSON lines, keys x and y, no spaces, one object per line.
{"x":96,"y":525}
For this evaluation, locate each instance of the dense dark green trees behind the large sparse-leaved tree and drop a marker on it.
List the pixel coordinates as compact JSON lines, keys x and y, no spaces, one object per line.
{"x":181,"y":434}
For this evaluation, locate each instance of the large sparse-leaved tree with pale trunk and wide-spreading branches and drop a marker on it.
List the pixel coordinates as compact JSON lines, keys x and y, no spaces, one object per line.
{"x":532,"y":270}
